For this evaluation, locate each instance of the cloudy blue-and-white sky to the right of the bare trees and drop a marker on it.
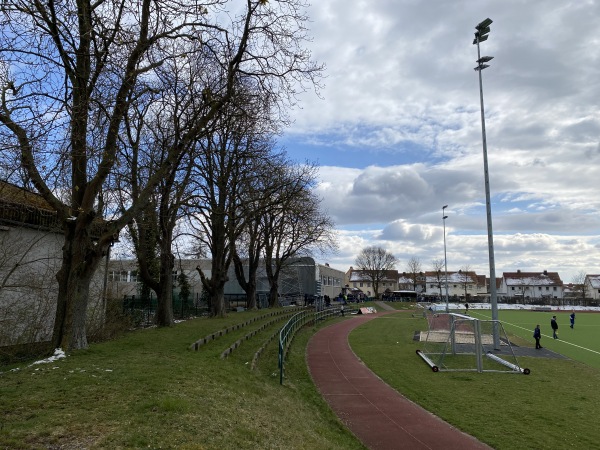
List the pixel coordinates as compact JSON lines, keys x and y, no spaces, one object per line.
{"x":396,"y":132}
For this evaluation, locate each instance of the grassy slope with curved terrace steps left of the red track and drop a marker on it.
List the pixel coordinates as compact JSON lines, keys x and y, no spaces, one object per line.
{"x":148,"y":390}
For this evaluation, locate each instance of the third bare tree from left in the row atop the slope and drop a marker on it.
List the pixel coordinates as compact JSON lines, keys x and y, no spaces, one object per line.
{"x":225,"y":166}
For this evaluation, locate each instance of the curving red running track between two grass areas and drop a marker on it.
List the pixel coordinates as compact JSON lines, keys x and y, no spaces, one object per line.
{"x":378,"y":415}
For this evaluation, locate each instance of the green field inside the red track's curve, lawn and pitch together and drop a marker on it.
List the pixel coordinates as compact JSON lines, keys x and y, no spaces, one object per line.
{"x":557,"y":406}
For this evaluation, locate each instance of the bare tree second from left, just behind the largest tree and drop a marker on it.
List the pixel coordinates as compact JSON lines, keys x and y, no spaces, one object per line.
{"x":155,"y":127}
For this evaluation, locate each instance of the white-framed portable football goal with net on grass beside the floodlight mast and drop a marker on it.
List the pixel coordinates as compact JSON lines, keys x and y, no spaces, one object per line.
{"x":456,"y":342}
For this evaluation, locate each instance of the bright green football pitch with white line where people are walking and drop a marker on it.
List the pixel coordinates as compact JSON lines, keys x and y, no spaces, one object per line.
{"x":582,"y":343}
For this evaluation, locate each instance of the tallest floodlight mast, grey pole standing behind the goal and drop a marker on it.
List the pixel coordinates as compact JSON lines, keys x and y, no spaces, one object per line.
{"x":481,"y":35}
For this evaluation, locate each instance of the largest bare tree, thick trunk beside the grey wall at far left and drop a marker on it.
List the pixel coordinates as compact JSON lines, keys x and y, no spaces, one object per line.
{"x":70,"y":72}
